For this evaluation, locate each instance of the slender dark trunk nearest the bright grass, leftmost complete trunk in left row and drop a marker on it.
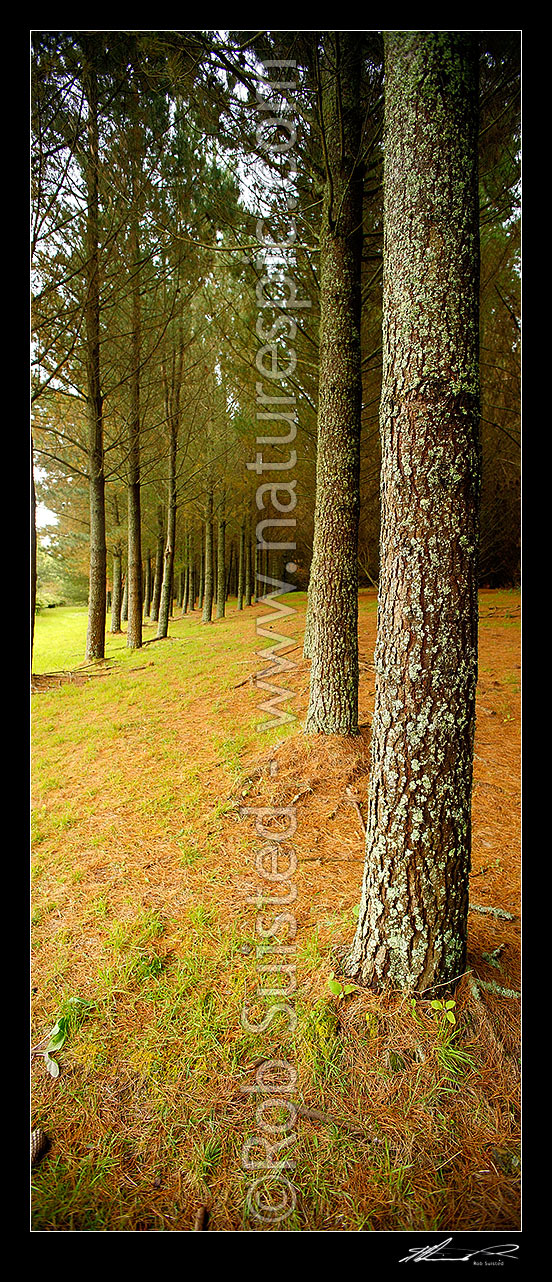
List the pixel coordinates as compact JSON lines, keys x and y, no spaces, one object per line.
{"x":95,"y":639}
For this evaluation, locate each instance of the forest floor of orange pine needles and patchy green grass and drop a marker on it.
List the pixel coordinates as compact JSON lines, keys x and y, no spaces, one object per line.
{"x":144,"y":883}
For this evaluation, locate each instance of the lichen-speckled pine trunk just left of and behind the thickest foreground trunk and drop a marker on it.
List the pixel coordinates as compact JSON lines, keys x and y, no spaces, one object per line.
{"x":332,"y":626}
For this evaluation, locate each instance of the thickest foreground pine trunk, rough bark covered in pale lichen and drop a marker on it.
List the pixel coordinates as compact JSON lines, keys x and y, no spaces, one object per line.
{"x":413,"y":919}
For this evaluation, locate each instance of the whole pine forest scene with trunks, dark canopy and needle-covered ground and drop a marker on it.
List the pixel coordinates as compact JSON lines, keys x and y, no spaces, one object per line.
{"x":276,"y":594}
